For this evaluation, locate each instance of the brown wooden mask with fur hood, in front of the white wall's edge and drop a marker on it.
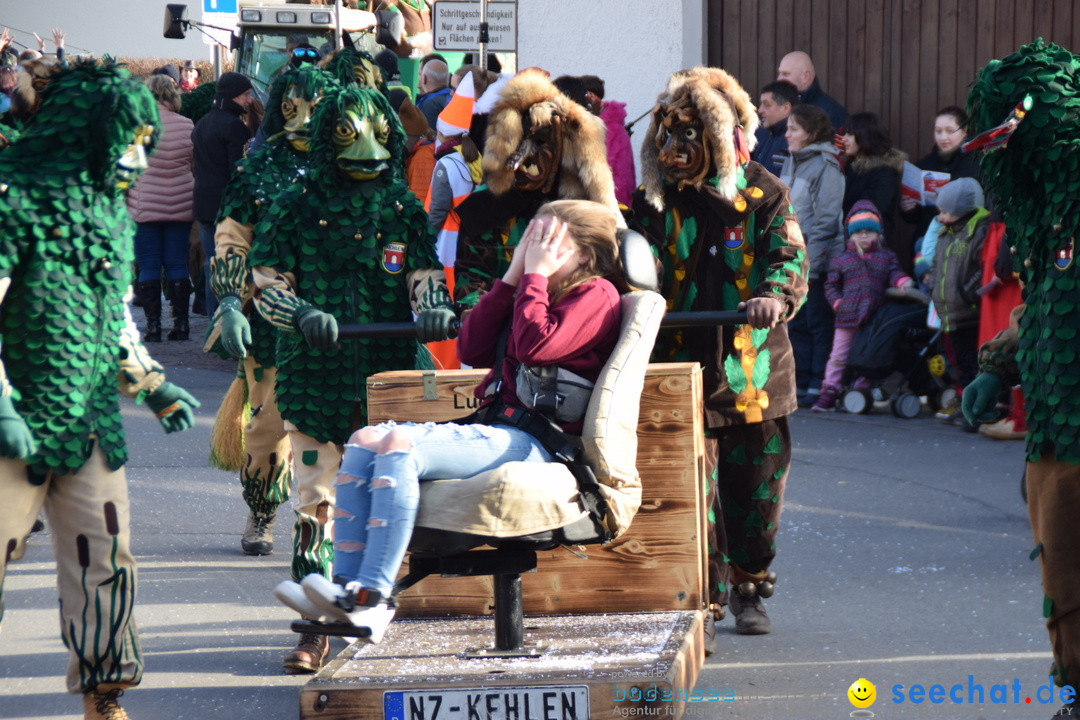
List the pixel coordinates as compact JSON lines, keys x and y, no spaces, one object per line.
{"x":703,"y":127}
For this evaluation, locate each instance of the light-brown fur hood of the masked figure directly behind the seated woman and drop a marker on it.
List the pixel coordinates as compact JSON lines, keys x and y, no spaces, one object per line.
{"x":584,"y":172}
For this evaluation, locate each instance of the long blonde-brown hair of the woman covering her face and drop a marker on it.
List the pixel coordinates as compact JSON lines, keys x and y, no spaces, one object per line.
{"x":592,"y":227}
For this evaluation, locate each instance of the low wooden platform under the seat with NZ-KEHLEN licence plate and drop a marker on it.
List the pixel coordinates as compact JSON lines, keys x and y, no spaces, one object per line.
{"x":637,"y":665}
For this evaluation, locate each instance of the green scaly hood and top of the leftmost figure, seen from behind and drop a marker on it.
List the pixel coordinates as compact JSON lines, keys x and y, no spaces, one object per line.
{"x":66,"y":241}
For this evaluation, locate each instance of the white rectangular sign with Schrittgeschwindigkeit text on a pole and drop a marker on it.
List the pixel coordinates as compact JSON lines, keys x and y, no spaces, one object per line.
{"x":455,"y":25}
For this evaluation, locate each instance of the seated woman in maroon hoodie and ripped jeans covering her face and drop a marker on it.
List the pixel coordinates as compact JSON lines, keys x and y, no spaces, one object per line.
{"x":562,"y":303}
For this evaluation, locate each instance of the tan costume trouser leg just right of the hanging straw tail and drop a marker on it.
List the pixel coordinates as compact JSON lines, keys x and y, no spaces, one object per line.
{"x":268,"y":472}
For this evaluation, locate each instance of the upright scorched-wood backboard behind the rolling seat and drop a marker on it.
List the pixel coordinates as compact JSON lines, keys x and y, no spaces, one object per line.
{"x":658,"y":565}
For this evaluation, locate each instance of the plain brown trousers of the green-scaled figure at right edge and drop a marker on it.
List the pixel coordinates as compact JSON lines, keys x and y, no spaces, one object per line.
{"x":1054,"y":505}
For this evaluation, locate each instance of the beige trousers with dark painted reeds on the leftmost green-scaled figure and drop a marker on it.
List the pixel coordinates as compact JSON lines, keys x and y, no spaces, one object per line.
{"x":89,"y":520}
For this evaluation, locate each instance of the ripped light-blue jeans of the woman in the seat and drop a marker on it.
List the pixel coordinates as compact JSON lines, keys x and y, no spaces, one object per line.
{"x":379,"y":495}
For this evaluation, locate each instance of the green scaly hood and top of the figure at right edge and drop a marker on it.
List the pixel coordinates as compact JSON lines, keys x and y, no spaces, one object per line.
{"x":1039,"y":173}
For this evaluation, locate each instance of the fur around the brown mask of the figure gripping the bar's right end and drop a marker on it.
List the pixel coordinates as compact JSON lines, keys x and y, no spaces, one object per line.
{"x":723,"y":105}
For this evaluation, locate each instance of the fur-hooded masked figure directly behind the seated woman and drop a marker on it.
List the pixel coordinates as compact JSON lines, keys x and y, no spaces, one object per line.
{"x":542,"y":146}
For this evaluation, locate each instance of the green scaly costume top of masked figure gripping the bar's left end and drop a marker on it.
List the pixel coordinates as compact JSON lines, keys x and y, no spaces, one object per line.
{"x":343,"y":276}
